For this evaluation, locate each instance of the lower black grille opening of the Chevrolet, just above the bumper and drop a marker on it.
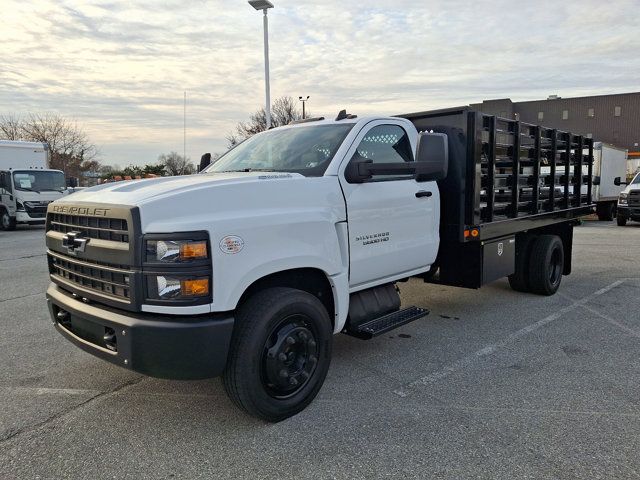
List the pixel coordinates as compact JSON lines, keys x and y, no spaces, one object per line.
{"x":98,"y":277}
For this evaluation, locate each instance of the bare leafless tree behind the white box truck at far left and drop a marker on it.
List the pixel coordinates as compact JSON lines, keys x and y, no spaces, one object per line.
{"x":69,"y":147}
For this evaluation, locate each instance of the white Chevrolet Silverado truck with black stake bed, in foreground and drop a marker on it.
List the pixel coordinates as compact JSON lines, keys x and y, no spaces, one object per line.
{"x":247,"y":269}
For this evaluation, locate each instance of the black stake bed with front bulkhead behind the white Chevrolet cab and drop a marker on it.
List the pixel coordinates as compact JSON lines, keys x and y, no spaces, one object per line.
{"x":505,"y":177}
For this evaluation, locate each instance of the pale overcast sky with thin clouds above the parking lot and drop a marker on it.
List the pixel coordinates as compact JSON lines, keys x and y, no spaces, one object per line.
{"x":120,"y":68}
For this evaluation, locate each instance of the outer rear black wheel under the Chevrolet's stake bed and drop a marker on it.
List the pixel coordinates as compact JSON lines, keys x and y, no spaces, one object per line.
{"x":546,"y":264}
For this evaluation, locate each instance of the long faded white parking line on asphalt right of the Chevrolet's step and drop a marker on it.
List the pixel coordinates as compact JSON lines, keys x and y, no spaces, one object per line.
{"x":488,"y":350}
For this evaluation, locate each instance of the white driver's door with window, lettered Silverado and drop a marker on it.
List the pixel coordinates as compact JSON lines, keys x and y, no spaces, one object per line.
{"x":393,"y":220}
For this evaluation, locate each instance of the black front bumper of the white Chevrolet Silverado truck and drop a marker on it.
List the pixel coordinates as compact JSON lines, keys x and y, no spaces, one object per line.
{"x":164,"y":346}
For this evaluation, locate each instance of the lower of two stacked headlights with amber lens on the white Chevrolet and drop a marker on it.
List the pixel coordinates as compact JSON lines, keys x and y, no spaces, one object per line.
{"x":178,"y":287}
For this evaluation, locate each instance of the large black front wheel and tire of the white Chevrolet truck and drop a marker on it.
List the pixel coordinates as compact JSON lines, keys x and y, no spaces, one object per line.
{"x":280,"y":353}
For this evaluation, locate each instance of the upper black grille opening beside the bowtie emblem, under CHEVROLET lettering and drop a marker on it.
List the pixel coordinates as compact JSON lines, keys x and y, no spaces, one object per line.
{"x":113,"y":229}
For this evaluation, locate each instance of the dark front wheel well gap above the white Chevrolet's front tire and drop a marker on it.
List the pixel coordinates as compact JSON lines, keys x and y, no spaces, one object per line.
{"x":310,"y":280}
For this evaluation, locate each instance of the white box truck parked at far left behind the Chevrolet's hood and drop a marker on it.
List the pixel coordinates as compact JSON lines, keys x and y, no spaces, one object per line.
{"x":27,"y":185}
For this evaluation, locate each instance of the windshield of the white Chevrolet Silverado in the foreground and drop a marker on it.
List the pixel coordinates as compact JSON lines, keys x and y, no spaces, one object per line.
{"x":304,"y":150}
